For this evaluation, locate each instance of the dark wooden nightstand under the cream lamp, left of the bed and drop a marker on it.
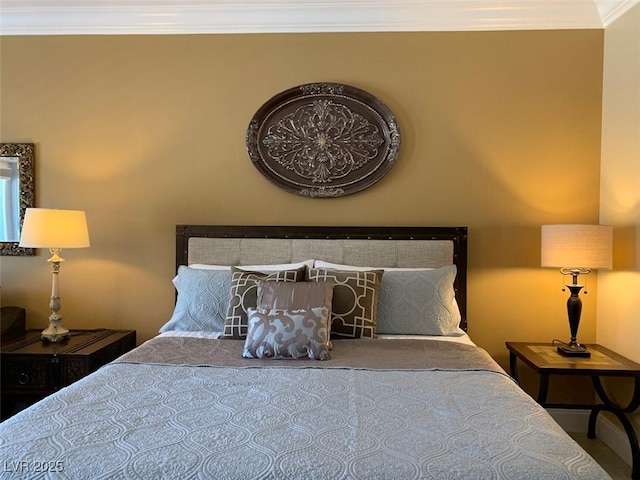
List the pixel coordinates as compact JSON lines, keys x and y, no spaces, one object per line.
{"x":33,"y":368}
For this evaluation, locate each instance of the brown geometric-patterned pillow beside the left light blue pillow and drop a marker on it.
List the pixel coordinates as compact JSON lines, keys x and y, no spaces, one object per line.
{"x":244,"y":292}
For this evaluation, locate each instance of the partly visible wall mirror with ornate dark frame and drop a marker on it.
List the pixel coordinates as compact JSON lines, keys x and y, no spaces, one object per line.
{"x":16,"y":194}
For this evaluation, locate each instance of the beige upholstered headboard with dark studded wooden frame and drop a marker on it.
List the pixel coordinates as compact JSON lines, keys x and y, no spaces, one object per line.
{"x":362,"y":246}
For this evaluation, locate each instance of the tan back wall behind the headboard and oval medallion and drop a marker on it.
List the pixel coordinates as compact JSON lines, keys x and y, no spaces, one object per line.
{"x":500,"y":132}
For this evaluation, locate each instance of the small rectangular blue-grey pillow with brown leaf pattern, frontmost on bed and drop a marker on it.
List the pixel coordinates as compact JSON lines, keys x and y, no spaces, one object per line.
{"x":287,"y":334}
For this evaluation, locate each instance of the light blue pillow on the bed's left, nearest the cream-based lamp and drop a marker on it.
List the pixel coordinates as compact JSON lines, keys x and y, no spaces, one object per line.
{"x":203,"y":299}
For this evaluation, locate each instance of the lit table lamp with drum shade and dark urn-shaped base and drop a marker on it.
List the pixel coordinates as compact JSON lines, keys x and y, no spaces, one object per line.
{"x":576,"y":250}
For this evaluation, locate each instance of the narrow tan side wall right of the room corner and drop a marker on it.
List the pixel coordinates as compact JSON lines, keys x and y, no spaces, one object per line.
{"x":618,"y":299}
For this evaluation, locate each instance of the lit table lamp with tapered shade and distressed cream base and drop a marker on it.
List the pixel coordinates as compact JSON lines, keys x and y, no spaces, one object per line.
{"x":55,"y":230}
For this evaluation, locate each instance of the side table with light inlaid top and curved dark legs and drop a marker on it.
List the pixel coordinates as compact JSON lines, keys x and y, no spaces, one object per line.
{"x":546,"y":361}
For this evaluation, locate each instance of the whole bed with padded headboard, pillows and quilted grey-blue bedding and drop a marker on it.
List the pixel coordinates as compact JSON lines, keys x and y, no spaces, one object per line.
{"x":307,"y":385}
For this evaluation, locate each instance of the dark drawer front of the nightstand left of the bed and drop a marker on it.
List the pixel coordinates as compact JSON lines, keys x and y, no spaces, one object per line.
{"x":27,"y":373}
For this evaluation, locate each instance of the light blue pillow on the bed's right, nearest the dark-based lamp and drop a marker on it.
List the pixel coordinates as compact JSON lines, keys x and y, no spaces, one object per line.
{"x":419,"y":302}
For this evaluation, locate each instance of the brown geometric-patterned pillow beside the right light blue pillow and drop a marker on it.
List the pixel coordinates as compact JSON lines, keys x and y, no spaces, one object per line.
{"x":355,"y":301}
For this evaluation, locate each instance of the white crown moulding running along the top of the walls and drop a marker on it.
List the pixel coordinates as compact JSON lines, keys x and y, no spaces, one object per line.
{"x":112,"y":17}
